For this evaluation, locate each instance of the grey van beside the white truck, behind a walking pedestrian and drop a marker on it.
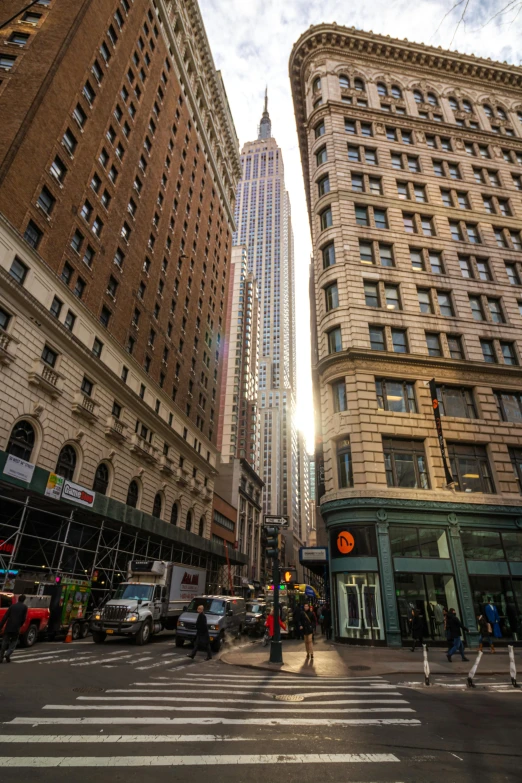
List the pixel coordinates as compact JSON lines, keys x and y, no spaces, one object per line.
{"x":226,"y":618}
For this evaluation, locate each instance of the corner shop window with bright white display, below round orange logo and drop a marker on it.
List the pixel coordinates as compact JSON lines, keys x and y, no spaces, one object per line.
{"x":359,"y":606}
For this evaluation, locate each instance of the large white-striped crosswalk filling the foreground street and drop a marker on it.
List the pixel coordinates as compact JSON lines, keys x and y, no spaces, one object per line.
{"x":245,"y":712}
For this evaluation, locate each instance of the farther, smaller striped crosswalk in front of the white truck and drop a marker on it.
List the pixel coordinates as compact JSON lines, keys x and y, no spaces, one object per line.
{"x":87,"y":654}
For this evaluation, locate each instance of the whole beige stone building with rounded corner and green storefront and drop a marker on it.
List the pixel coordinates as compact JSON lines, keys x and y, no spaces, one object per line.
{"x":412,"y":160}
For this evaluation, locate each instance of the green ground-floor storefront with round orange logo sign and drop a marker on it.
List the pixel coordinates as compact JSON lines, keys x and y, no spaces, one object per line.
{"x":391,"y":555}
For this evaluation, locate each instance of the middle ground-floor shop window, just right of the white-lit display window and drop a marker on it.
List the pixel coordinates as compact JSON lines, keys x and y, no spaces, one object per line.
{"x":429,"y":594}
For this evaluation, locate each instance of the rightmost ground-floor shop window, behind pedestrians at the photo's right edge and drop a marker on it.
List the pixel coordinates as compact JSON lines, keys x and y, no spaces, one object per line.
{"x":506,"y":595}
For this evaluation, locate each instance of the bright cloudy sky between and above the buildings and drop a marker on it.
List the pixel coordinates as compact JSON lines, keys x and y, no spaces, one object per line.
{"x":251,"y":41}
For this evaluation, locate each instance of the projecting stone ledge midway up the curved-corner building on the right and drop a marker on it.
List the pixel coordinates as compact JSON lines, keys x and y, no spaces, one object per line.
{"x":383,"y":361}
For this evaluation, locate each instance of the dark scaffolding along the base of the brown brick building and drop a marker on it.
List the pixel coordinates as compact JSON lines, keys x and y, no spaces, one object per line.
{"x":37,"y":544}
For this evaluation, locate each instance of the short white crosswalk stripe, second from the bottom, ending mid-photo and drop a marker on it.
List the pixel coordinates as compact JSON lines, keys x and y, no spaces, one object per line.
{"x":42,"y":739}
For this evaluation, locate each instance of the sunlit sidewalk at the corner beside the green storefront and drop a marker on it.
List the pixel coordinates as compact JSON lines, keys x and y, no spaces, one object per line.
{"x":340,"y":660}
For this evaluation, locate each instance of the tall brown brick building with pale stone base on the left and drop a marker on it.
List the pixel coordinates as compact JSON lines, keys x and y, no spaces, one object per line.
{"x":118,"y":168}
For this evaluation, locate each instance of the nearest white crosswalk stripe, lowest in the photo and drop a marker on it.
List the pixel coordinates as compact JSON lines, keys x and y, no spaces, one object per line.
{"x":196,"y":761}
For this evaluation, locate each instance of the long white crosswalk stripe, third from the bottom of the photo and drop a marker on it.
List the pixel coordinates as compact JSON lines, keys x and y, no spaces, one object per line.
{"x":68,"y":720}
